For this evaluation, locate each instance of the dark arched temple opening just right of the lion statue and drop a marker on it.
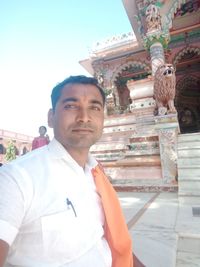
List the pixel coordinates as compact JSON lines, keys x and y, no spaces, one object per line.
{"x":187,"y":100}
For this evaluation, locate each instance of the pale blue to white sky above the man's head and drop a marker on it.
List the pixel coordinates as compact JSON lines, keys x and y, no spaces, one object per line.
{"x":41,"y":44}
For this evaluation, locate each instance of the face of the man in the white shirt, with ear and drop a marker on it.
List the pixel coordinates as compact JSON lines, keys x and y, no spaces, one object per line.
{"x":78,"y":117}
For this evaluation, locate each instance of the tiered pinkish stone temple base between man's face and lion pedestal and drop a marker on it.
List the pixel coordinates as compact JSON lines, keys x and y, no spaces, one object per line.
{"x":129,"y":149}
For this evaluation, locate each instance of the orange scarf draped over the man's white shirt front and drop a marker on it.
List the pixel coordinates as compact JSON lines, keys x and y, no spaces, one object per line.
{"x":116,"y":231}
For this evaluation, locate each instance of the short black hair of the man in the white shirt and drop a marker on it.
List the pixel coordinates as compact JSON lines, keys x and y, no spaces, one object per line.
{"x":80,"y":79}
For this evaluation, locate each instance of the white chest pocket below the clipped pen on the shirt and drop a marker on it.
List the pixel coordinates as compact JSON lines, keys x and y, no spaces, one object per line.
{"x":60,"y":239}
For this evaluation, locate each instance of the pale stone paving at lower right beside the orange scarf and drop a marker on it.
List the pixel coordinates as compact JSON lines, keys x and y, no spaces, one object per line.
{"x":164,"y":231}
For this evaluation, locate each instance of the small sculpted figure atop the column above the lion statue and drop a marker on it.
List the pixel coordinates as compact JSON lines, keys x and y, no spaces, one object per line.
{"x":153,"y":18}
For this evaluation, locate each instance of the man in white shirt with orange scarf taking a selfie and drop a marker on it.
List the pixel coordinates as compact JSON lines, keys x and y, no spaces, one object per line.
{"x":57,"y":208}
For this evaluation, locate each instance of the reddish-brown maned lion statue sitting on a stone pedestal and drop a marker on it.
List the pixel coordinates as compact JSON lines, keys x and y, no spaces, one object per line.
{"x":164,"y":89}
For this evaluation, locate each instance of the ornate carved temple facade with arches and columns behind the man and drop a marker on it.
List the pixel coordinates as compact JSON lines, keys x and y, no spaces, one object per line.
{"x":138,"y":145}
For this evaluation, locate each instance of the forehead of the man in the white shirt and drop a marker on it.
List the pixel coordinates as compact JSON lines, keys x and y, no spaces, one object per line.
{"x":79,"y":91}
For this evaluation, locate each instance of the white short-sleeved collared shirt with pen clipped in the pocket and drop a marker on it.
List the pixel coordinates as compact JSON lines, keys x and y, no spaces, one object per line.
{"x":50,"y":212}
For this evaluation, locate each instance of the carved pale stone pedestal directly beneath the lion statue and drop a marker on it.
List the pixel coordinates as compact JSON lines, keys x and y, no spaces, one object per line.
{"x":168,"y":128}
